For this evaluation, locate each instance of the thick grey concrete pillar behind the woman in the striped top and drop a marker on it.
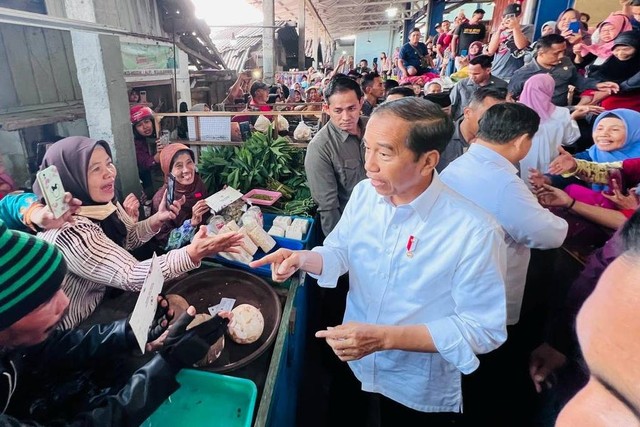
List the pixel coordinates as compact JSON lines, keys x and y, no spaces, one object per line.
{"x":104,"y":92}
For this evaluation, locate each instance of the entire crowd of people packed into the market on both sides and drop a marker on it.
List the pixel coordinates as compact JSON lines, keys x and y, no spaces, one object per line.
{"x":442,"y":177}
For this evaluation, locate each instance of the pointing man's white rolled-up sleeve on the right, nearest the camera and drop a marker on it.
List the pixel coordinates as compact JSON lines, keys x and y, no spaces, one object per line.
{"x":479,"y":323}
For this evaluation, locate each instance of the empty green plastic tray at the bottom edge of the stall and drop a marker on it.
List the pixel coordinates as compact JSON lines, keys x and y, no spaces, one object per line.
{"x":207,"y":399}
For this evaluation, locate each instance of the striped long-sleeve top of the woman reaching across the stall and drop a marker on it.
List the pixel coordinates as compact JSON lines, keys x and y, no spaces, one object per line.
{"x":95,"y":262}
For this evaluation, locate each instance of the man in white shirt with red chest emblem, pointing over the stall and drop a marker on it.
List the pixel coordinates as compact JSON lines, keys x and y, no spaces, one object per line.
{"x":426,"y":272}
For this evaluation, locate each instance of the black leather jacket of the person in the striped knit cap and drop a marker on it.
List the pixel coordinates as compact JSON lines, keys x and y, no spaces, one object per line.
{"x":74,"y":379}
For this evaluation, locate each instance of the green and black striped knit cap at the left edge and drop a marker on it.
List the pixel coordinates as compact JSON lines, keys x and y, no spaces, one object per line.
{"x":31,"y":272}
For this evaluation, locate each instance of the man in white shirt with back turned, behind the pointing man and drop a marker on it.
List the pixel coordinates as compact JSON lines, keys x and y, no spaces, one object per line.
{"x":486,"y":175}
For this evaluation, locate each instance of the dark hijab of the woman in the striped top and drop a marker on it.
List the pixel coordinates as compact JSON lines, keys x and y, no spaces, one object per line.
{"x":71,"y":156}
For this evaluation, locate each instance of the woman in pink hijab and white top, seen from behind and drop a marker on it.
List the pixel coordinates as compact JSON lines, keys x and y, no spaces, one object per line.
{"x":557,"y":125}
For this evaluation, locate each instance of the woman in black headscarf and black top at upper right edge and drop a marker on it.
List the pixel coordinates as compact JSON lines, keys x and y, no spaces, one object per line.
{"x":623,"y":68}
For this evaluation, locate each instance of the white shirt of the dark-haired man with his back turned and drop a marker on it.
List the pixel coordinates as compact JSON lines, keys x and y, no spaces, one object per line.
{"x":491,"y":181}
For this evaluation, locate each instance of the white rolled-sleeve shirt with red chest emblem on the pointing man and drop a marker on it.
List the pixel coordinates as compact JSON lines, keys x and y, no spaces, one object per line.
{"x":453,"y":284}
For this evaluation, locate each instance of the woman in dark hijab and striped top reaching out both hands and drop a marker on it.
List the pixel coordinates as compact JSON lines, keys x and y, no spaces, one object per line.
{"x":96,"y":245}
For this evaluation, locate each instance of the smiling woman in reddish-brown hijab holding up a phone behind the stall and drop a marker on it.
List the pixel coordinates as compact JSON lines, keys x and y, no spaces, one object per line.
{"x":178,"y":160}
